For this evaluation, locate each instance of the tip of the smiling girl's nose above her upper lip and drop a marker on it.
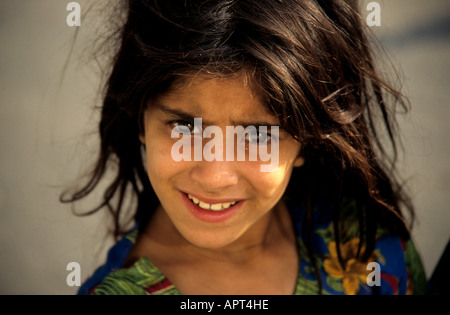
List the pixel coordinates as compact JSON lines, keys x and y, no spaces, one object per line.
{"x":215,"y":176}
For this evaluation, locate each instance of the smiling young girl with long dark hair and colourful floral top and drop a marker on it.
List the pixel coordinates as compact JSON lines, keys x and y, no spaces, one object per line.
{"x":327,"y":219}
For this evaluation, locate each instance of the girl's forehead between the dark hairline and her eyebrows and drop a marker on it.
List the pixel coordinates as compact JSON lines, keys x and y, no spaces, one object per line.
{"x":230,"y":98}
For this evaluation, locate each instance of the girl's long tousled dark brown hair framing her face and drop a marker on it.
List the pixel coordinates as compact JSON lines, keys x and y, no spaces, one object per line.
{"x":310,"y":60}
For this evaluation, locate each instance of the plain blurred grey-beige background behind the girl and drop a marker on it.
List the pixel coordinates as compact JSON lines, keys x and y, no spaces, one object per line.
{"x":48,"y":124}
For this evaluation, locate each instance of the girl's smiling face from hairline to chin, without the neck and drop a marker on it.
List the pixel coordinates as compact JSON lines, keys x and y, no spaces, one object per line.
{"x":186,"y":189}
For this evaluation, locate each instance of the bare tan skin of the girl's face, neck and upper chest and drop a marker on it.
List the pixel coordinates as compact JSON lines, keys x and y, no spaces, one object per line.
{"x":257,"y":244}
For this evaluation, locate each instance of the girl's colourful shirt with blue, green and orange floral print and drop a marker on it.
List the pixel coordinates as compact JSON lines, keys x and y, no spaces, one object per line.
{"x":395,"y":266}
